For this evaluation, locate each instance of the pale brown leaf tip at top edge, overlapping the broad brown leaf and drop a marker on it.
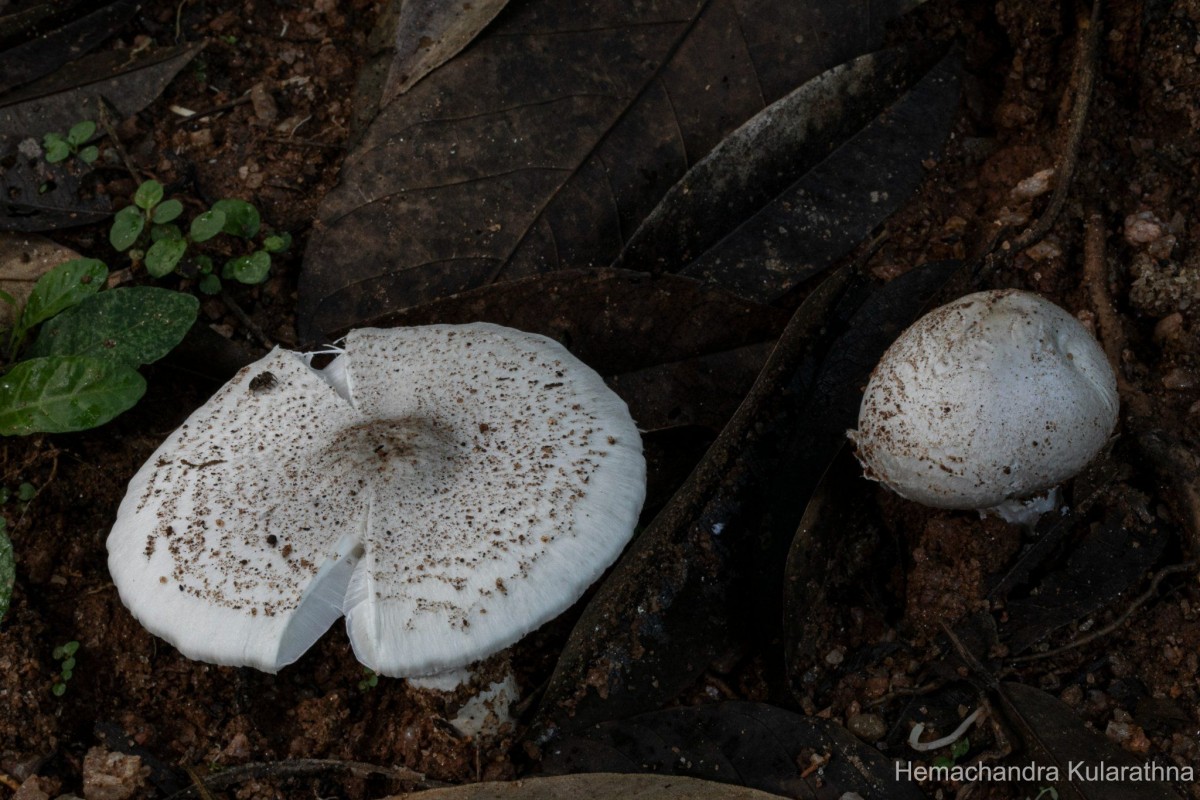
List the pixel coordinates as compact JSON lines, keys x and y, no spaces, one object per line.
{"x":429,"y":34}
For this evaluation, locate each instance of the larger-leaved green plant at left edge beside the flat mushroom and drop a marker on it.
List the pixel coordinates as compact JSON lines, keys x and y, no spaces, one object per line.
{"x":82,"y":370}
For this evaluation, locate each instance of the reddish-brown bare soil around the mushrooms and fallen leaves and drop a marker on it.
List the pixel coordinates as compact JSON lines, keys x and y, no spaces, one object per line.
{"x":1138,"y":170}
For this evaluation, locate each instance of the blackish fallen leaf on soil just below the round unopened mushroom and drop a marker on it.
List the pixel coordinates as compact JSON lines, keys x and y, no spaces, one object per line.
{"x":1111,"y":560}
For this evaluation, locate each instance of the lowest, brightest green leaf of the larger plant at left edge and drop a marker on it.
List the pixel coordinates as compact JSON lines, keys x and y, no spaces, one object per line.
{"x":65,"y":394}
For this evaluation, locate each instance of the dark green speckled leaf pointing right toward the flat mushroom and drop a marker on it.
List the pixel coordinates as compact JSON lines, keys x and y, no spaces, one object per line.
{"x":131,"y":327}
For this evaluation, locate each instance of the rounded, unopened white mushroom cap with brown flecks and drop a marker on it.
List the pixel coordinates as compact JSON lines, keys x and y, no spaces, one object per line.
{"x":995,"y":396}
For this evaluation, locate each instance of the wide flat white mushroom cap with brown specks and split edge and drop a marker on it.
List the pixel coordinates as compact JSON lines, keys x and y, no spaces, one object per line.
{"x":447,"y":489}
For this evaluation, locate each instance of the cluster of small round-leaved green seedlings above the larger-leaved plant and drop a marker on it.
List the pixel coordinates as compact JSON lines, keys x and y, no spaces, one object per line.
{"x":152,"y":221}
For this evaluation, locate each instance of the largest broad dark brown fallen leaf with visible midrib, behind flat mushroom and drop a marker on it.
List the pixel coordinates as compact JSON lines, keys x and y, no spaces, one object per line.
{"x":547,"y":143}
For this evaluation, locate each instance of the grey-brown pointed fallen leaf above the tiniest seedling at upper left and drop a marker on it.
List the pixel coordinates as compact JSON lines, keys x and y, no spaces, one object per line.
{"x":127,"y":82}
